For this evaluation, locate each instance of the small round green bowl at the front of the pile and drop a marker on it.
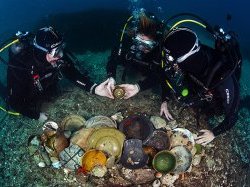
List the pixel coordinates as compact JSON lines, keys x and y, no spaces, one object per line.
{"x":164,"y":161}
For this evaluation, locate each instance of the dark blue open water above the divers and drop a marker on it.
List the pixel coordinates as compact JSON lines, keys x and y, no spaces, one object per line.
{"x":22,"y":15}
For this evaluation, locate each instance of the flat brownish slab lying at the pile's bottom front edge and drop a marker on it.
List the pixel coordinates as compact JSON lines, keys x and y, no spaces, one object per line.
{"x":139,"y":176}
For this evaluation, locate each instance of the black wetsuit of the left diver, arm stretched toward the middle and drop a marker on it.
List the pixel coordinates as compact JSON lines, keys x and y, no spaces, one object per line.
{"x":31,"y":79}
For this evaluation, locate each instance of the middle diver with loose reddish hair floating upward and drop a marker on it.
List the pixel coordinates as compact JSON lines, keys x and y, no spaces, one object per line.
{"x":139,"y":51}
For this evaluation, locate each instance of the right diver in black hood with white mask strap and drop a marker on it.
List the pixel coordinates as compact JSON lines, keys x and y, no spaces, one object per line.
{"x":200,"y":76}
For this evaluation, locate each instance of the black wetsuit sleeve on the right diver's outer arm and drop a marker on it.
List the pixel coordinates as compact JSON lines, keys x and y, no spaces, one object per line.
{"x":229,"y":92}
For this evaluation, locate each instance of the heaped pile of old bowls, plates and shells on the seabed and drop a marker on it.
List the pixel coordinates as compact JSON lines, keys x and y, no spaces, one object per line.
{"x":94,"y":146}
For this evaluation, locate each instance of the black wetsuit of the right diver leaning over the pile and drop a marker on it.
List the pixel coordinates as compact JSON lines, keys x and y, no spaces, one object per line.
{"x":226,"y":94}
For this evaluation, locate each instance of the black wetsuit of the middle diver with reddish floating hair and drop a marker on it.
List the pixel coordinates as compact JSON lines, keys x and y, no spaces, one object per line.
{"x":146,"y":64}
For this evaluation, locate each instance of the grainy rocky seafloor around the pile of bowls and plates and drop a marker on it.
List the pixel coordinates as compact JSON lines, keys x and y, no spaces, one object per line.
{"x":225,"y":162}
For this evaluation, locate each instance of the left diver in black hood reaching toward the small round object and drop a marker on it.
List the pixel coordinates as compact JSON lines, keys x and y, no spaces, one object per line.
{"x":36,"y":64}
